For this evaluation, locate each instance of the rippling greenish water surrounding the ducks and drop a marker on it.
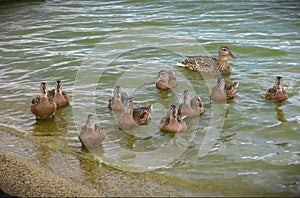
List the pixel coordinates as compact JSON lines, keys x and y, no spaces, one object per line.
{"x":92,"y":46}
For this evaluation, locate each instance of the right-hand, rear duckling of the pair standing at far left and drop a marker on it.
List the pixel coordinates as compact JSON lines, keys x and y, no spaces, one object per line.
{"x":59,"y":96}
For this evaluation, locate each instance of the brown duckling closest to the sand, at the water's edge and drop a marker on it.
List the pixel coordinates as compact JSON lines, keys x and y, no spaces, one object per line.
{"x":91,"y":135}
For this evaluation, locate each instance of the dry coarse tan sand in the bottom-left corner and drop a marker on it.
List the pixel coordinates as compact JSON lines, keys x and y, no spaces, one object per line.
{"x":21,"y":178}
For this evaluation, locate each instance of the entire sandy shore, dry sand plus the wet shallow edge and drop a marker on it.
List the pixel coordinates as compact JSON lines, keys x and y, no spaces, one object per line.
{"x":30,"y":168}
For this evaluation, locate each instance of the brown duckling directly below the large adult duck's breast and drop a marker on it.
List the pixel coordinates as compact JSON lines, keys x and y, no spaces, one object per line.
{"x":223,"y":91}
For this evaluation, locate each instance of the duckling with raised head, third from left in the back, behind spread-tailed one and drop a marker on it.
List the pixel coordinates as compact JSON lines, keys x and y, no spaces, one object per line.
{"x":119,"y":100}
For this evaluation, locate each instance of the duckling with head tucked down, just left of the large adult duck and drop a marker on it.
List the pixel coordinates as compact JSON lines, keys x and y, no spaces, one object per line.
{"x":166,"y":79}
